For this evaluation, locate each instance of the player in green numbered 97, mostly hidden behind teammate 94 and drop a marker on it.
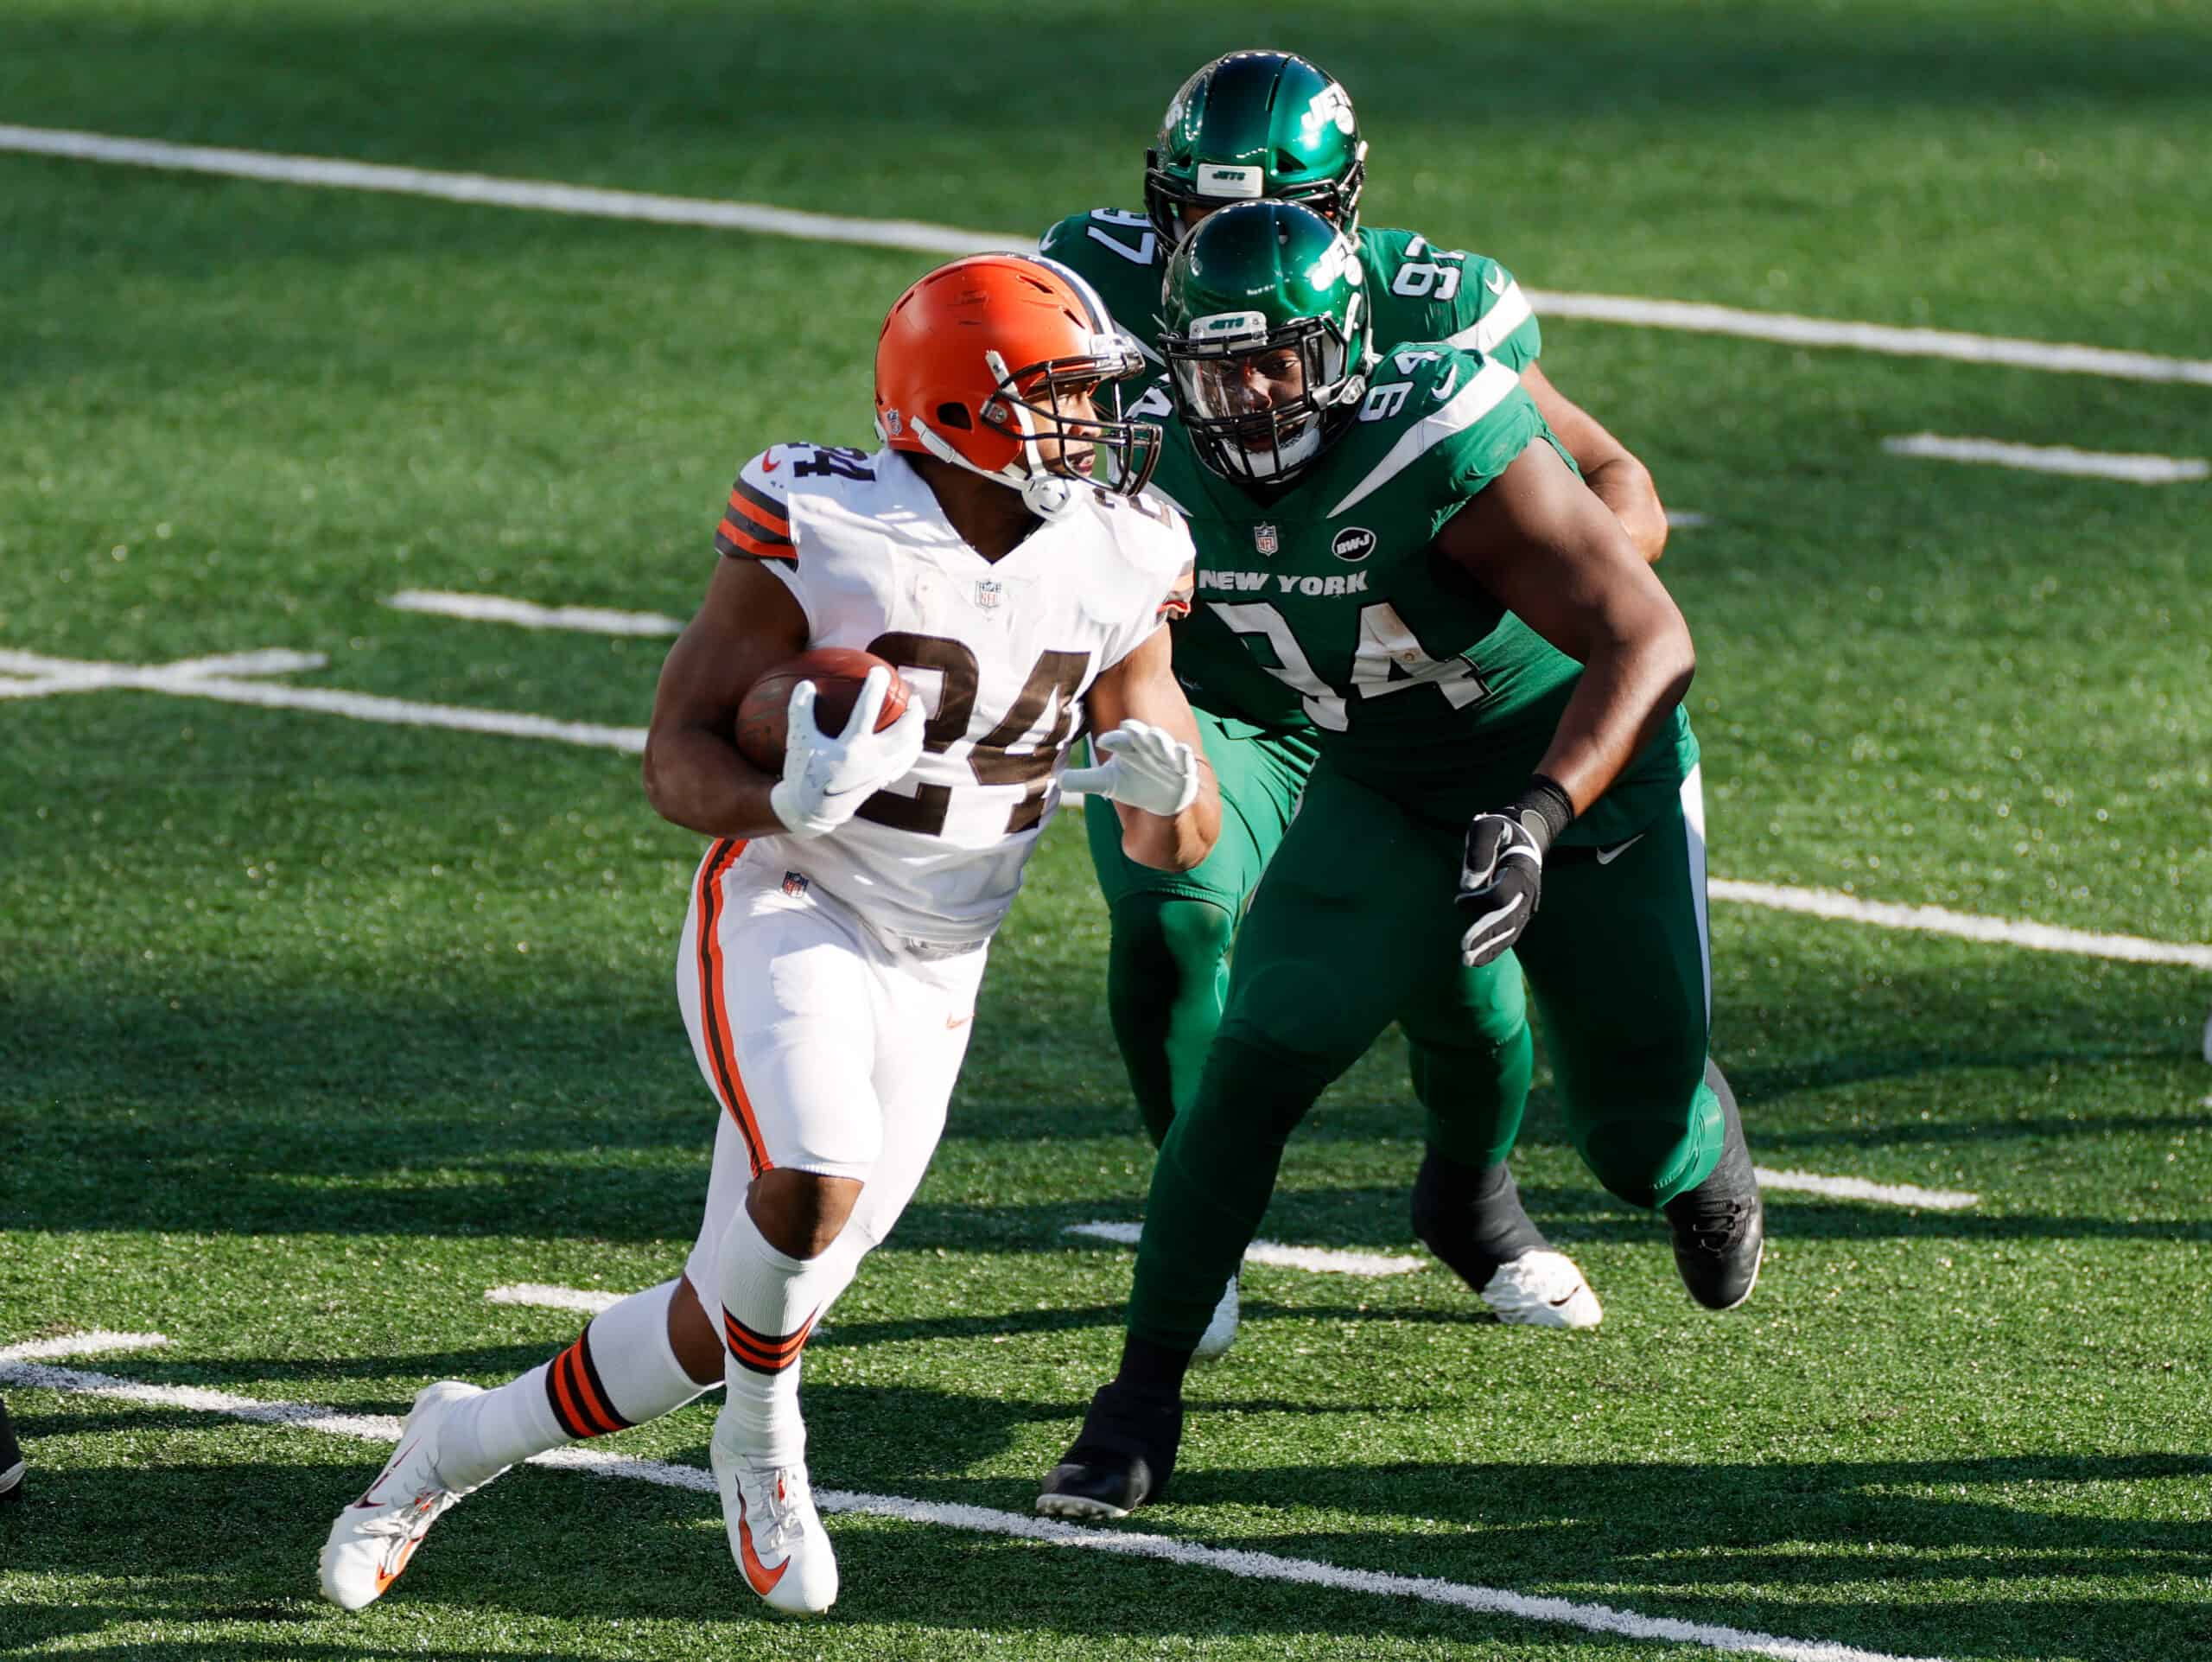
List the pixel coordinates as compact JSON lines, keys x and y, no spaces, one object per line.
{"x":1273,"y":125}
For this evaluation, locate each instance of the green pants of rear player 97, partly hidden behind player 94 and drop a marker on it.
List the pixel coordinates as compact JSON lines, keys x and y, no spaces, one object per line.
{"x":1169,"y":962}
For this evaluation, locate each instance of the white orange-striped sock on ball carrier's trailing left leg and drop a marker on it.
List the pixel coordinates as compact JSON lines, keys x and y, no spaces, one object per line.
{"x":618,"y":1373}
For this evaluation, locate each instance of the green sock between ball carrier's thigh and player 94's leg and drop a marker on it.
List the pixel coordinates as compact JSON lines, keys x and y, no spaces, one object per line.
{"x":1167,"y":979}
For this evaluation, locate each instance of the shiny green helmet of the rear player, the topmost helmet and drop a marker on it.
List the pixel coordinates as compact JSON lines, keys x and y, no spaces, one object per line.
{"x":1255,"y":125}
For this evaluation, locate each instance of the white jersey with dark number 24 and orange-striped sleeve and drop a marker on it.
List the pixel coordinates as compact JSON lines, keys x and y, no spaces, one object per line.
{"x":1001,"y":656}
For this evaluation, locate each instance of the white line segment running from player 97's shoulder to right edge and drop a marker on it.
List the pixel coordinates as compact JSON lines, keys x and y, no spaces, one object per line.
{"x":1875,"y":337}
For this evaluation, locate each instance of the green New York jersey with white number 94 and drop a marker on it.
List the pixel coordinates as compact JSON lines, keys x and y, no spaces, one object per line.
{"x":1417,"y":681}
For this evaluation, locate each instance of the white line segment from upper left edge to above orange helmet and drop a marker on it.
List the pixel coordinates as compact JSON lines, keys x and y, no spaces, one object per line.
{"x":503,"y":194}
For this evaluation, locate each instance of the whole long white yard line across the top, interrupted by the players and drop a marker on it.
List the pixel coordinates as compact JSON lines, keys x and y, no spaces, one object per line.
{"x":948,"y":240}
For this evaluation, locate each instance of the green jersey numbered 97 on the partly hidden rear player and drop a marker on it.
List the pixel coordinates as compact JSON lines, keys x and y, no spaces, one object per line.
{"x":1419,"y":293}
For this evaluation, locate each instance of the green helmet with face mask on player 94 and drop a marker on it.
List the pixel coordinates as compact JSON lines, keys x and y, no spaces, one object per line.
{"x":1269,"y":340}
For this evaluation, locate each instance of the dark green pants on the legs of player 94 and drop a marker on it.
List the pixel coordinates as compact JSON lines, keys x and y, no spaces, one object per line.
{"x":1355,"y":928}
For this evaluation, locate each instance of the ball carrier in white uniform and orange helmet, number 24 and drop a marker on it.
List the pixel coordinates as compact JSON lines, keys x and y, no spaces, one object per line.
{"x":837,"y":926}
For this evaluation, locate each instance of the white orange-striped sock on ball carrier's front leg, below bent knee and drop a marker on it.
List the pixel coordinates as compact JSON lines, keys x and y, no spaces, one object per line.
{"x":769,"y":1309}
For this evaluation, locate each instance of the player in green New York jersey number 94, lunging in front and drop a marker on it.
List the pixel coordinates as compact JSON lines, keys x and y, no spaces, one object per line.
{"x":1494,"y":678}
